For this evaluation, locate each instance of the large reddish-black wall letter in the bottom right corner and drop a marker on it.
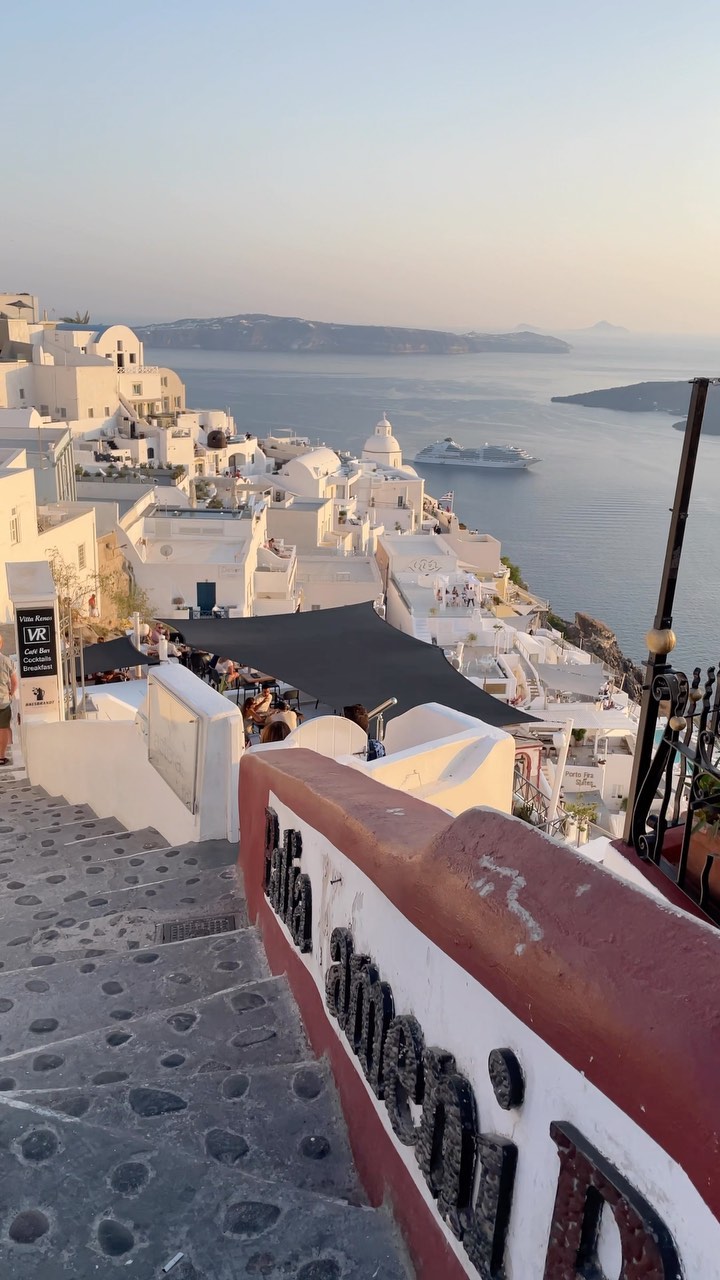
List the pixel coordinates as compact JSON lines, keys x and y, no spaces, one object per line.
{"x":589,"y":1182}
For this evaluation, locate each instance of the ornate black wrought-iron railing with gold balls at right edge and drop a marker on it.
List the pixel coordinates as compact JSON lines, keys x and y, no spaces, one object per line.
{"x":676,"y":820}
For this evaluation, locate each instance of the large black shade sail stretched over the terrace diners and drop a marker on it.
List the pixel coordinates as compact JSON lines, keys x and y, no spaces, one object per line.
{"x":348,"y":656}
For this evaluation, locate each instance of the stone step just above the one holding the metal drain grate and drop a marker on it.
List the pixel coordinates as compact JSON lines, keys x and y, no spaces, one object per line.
{"x":57,"y":886}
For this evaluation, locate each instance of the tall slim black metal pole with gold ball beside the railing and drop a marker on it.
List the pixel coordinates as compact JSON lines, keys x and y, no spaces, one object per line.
{"x":658,"y":662}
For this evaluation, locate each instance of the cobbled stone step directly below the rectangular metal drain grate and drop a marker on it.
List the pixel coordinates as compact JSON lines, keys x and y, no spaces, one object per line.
{"x":111,"y":991}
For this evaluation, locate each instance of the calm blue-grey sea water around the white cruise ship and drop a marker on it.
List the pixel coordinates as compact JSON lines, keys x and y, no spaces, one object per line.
{"x":587,"y":525}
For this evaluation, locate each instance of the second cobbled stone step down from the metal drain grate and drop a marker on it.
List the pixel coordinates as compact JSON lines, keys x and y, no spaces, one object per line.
{"x":263,"y":1030}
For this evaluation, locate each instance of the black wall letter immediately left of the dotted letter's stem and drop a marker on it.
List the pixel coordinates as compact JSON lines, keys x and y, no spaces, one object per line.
{"x":448,"y":1144}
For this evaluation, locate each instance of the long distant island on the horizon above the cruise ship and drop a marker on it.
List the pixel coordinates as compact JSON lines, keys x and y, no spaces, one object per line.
{"x":286,"y":333}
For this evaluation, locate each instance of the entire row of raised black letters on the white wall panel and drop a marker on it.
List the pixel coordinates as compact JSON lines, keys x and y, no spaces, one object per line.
{"x":470,"y":1173}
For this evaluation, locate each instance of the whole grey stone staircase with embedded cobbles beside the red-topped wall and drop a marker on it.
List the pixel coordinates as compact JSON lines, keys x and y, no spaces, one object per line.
{"x":161,"y":1110}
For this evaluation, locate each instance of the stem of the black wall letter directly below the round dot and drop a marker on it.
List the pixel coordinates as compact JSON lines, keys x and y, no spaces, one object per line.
{"x":486,"y":1237}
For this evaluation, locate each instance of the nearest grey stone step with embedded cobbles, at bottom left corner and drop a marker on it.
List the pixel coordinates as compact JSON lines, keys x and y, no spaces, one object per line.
{"x":80,"y":1201}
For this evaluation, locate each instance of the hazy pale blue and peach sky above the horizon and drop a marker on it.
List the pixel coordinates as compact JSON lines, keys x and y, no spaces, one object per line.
{"x":405,"y":162}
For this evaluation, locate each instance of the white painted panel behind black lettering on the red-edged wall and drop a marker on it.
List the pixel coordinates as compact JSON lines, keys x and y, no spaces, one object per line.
{"x":458,"y":1014}
